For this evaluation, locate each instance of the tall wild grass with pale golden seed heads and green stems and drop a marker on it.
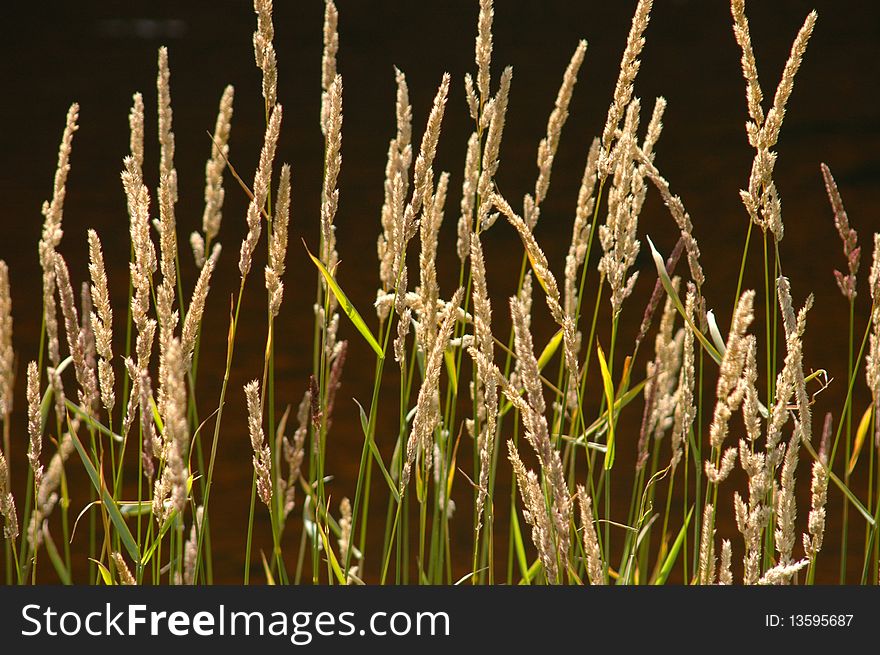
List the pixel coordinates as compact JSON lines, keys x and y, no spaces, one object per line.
{"x":474,"y":405}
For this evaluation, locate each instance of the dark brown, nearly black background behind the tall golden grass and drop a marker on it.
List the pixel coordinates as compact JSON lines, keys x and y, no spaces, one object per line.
{"x":99,"y":53}
